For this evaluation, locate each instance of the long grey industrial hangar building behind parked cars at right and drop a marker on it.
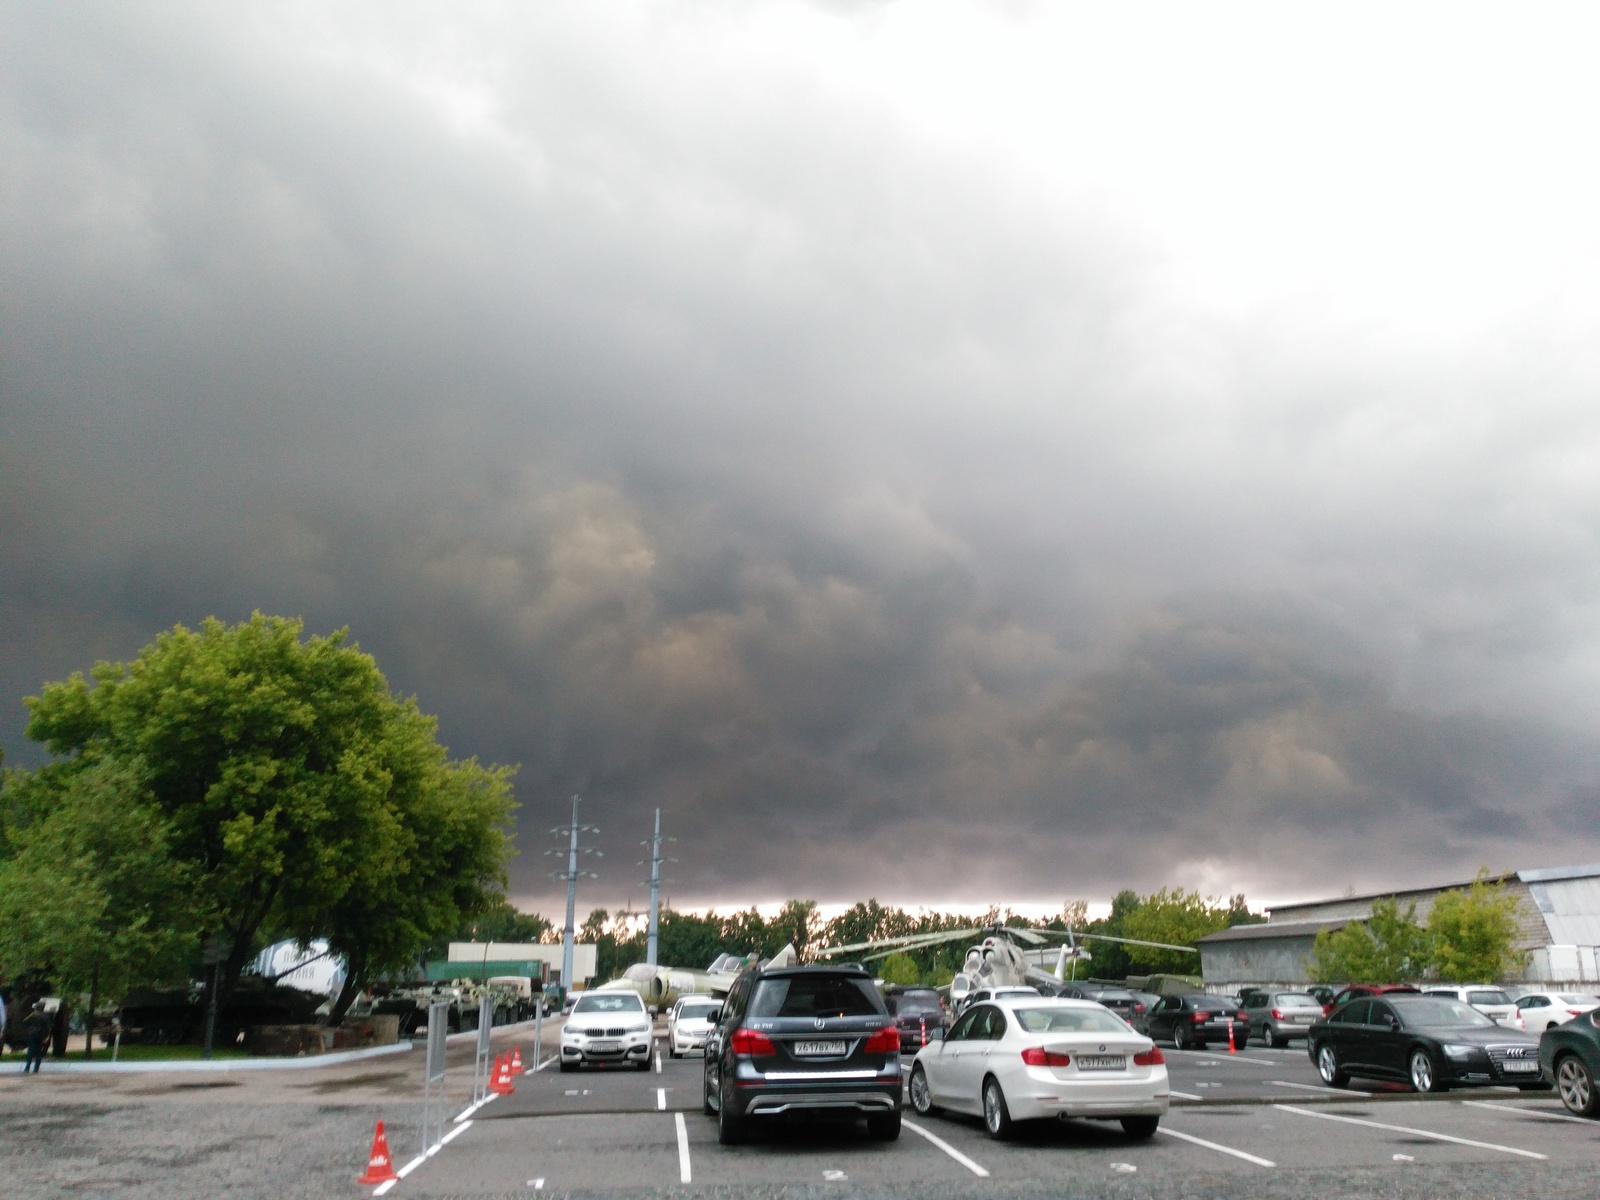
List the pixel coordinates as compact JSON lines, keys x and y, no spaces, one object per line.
{"x":1558,"y":921}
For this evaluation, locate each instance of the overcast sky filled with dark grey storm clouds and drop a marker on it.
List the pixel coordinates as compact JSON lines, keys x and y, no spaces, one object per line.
{"x":953,"y":454}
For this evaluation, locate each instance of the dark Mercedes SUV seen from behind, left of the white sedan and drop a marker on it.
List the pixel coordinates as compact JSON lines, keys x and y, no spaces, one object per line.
{"x":799,"y":1041}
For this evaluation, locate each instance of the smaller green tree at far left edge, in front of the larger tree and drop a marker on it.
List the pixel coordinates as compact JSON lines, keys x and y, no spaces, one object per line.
{"x":90,"y":898}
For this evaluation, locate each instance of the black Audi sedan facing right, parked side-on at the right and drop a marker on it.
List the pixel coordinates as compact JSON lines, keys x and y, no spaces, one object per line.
{"x":1426,"y":1041}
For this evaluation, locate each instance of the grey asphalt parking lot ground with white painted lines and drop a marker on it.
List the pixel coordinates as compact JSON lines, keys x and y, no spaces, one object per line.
{"x":633,"y":1134}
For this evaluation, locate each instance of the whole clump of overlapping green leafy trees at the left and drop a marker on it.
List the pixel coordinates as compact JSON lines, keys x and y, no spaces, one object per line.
{"x":230,"y":788}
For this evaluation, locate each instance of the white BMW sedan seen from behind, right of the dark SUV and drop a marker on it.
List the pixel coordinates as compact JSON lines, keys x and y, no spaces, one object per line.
{"x":1025,"y":1058}
